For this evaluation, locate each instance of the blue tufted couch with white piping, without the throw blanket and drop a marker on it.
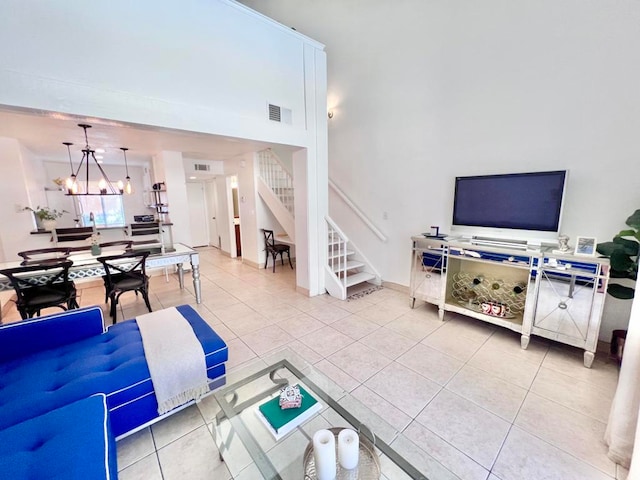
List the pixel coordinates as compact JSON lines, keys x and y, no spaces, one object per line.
{"x":54,"y":364}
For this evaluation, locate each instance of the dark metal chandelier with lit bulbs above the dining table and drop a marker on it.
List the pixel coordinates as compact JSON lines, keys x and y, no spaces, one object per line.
{"x":105,"y":186}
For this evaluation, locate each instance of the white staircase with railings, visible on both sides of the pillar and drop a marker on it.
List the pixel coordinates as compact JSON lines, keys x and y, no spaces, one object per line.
{"x":346,"y":266}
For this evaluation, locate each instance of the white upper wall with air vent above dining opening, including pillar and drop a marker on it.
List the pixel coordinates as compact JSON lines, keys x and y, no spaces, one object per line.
{"x":204,"y":66}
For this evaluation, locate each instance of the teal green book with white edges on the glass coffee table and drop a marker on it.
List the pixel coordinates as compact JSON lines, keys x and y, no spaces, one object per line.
{"x":280,"y":422}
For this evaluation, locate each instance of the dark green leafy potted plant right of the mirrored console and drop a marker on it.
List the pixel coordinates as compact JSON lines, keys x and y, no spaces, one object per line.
{"x":623,"y":253}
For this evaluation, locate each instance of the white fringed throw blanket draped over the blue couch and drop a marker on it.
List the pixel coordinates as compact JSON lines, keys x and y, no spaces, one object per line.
{"x":175,"y":358}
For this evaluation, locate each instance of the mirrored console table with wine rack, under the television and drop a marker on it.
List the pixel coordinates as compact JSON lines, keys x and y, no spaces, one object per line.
{"x":533,"y":292}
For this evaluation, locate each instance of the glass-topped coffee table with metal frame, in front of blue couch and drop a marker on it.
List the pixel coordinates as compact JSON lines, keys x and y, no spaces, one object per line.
{"x":251,"y":452}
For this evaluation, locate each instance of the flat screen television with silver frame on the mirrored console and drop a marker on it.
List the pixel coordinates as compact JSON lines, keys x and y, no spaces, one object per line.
{"x":519,"y":206}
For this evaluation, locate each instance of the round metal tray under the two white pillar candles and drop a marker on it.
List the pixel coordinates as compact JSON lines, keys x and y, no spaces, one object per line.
{"x":368,"y":463}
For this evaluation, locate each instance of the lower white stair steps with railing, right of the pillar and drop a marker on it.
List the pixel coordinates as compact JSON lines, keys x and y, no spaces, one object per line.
{"x":346,"y":266}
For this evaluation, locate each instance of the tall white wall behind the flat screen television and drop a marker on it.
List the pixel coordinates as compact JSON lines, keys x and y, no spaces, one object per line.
{"x":460,"y":87}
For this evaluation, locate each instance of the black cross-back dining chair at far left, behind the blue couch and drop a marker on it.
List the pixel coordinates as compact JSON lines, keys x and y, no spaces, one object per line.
{"x":41,"y":286}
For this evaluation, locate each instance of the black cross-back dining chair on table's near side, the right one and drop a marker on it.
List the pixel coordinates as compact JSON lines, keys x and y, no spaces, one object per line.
{"x":125,"y":273}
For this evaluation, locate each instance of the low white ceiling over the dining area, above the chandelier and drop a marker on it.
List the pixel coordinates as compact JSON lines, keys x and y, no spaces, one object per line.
{"x":43,"y":133}
